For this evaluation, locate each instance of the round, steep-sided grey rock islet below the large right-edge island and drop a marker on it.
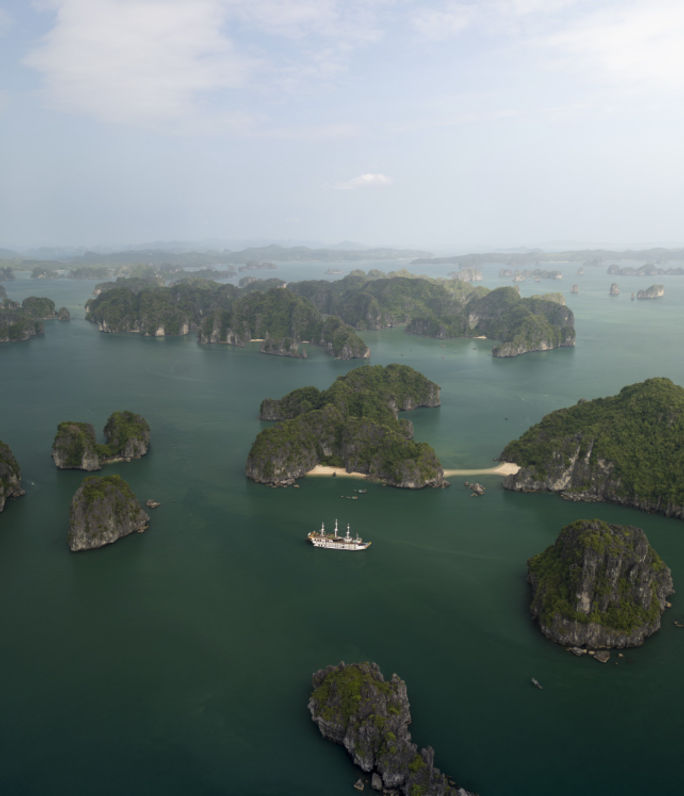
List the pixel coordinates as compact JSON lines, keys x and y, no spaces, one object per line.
{"x":599,"y":586}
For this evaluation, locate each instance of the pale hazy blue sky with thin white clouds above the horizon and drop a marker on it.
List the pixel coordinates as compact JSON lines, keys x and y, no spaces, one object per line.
{"x":431,"y":123}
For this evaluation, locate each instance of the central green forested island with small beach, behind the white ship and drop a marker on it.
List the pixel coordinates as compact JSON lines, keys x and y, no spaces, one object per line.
{"x":354,"y":424}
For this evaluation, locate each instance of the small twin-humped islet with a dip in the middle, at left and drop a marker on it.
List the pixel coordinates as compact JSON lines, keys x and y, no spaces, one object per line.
{"x":127,"y":437}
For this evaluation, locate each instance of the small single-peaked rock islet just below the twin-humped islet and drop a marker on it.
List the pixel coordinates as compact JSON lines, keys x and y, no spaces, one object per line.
{"x":103,"y":510}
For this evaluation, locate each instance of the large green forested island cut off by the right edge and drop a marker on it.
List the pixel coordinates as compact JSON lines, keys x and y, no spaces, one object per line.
{"x":623,"y":449}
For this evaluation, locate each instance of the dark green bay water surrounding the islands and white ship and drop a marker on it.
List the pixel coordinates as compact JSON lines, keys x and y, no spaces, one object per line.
{"x":179,"y":661}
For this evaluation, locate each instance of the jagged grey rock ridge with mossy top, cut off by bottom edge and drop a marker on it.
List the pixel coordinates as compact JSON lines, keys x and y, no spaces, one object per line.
{"x":353,"y":705}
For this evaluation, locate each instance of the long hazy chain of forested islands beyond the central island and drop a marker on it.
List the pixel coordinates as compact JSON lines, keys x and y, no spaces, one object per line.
{"x":330,"y":314}
